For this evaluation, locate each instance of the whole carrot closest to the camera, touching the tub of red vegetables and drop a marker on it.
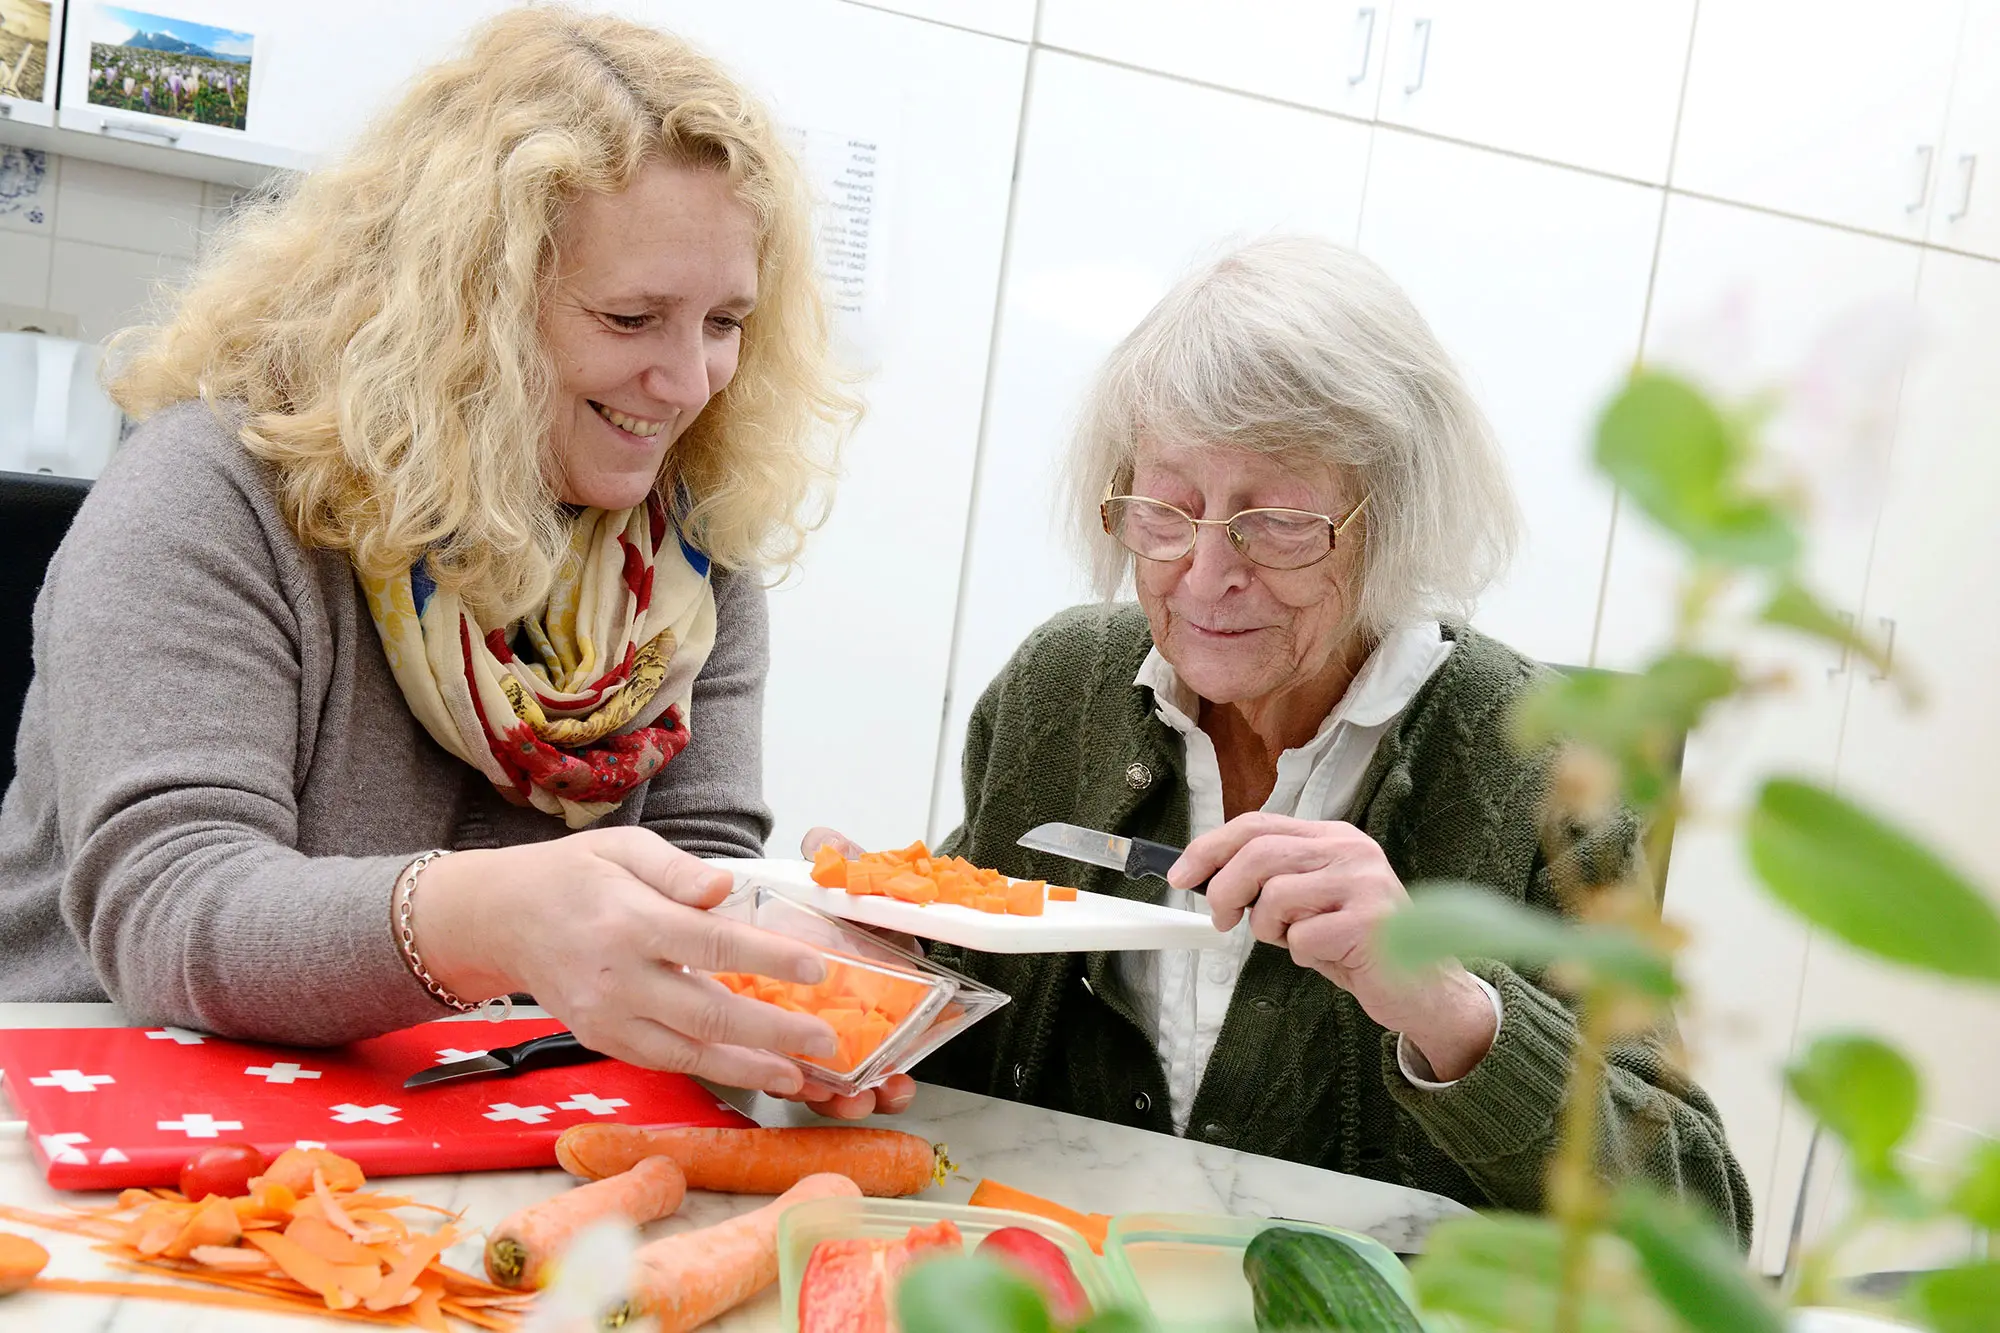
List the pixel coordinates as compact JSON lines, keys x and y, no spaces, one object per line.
{"x":687,"y":1280}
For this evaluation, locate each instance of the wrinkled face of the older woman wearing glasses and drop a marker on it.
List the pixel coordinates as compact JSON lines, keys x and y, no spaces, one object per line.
{"x":1237,"y":631}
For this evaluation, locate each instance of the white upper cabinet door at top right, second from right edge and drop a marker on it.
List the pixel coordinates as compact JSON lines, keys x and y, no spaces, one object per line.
{"x":1825,"y":109}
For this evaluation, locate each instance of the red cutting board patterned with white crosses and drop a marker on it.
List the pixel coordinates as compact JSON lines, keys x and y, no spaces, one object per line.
{"x":111,"y":1108}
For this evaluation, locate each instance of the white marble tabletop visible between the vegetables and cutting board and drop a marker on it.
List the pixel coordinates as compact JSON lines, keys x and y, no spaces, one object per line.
{"x":1085,"y":1164}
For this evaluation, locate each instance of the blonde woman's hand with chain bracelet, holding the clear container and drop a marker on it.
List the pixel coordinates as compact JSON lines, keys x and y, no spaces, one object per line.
{"x":601,"y":928}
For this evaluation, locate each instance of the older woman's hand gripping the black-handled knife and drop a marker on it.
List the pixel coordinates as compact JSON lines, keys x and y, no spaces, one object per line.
{"x":1319,"y":890}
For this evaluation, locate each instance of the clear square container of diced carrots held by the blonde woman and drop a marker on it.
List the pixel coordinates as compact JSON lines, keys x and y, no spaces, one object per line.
{"x":931,"y":1004}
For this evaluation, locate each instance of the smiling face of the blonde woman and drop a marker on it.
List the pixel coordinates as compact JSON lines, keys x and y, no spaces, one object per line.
{"x":645,"y":323}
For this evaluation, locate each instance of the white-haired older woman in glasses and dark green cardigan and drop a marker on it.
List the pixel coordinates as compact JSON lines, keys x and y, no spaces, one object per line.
{"x":1301,"y":487}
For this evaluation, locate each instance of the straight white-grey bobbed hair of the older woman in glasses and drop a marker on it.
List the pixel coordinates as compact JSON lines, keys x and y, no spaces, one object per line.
{"x":1305,"y":349}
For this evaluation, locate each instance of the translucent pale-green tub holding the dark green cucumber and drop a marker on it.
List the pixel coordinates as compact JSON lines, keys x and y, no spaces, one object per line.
{"x":1189,"y":1268}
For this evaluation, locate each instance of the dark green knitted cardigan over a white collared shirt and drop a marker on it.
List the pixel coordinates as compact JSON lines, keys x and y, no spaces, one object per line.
{"x":1299,"y":1070}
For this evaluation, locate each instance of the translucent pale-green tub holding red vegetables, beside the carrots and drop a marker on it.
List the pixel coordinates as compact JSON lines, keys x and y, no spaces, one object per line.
{"x":839,"y":1220}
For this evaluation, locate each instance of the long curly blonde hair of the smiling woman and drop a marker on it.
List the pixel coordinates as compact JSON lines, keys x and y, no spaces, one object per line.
{"x":377,"y":327}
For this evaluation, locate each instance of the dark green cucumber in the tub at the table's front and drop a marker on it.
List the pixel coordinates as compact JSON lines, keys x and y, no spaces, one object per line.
{"x":1305,"y":1282}
